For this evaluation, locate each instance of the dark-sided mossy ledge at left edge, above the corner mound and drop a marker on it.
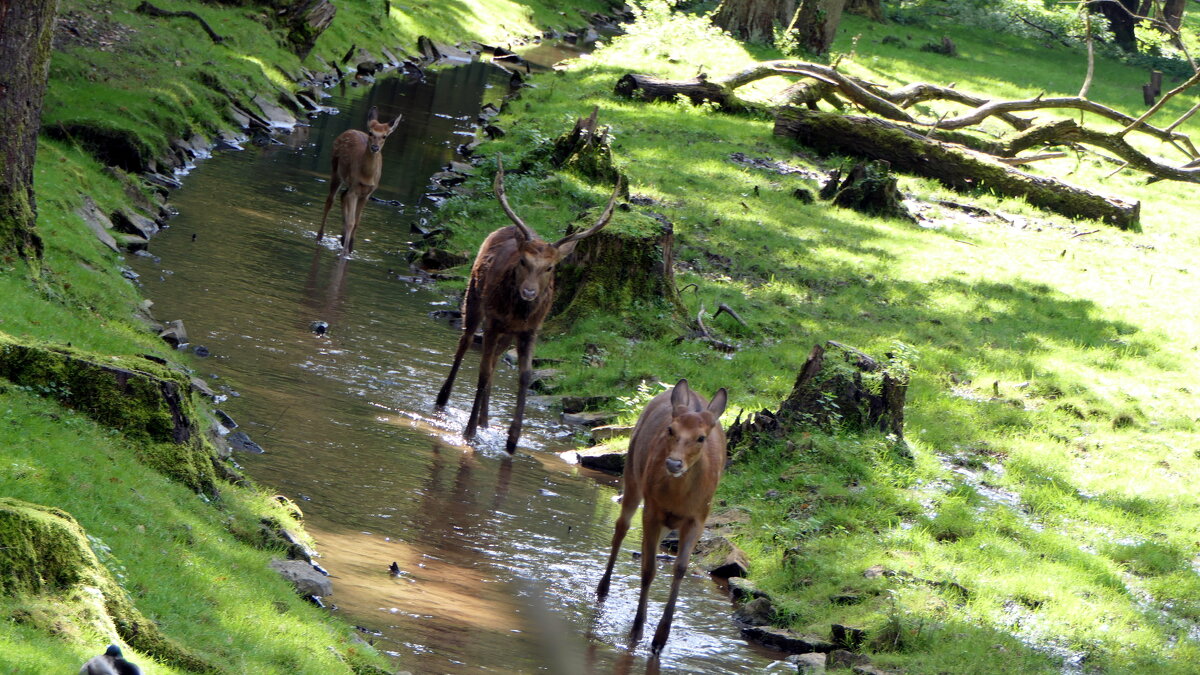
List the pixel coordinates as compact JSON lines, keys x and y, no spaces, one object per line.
{"x":146,"y":401}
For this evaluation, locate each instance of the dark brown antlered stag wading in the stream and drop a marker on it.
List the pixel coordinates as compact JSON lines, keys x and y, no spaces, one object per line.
{"x":511,"y":292}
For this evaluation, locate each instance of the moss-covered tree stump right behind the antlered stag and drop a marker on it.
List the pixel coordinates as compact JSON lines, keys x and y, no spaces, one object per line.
{"x":628,"y":264}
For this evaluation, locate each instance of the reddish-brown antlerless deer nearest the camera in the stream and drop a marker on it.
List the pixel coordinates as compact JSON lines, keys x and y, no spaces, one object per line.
{"x":676,"y":459}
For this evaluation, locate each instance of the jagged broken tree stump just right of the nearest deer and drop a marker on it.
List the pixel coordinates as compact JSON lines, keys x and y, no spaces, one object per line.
{"x":855,"y":392}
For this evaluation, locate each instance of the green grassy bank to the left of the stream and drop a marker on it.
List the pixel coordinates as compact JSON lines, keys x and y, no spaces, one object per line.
{"x":123,"y":87}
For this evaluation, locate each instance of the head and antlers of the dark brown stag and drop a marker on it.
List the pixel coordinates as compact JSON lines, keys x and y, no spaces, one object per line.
{"x":536,"y":266}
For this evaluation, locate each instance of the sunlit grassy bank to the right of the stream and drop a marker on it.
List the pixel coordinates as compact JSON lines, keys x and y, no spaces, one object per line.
{"x":1048,"y":512}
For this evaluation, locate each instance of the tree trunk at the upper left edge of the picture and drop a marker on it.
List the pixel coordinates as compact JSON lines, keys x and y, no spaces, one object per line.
{"x":26,"y":31}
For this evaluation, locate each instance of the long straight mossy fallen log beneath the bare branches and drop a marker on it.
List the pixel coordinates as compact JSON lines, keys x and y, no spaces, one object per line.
{"x":959,"y":169}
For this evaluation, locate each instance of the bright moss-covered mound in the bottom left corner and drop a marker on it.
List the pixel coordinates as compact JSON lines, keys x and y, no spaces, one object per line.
{"x":45,"y":553}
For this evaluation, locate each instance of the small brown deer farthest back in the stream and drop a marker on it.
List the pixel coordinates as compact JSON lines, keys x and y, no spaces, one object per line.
{"x":358,"y":163}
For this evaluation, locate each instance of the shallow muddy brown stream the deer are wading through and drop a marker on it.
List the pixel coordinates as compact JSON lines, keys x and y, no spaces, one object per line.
{"x":499,"y":558}
